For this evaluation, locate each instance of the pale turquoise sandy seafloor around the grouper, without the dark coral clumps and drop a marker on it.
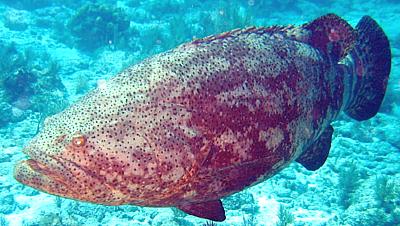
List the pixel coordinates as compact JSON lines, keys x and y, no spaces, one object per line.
{"x":349,"y":189}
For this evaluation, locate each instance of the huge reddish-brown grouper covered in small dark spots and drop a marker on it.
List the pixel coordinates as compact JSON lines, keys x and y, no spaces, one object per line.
{"x":211,"y":117}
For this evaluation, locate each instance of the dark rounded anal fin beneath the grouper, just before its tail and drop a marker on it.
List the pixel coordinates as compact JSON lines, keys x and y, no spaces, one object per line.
{"x":315,"y":156}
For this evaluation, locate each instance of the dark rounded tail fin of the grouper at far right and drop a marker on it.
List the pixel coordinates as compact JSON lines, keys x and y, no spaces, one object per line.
{"x":371,"y":62}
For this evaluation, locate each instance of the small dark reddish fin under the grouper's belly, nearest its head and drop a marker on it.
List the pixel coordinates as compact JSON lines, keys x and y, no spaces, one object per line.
{"x":212,"y":210}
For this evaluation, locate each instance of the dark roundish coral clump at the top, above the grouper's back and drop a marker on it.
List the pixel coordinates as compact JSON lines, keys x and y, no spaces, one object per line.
{"x":97,"y":25}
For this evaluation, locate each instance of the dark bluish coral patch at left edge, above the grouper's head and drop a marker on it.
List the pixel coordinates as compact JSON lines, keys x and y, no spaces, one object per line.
{"x":29,"y":81}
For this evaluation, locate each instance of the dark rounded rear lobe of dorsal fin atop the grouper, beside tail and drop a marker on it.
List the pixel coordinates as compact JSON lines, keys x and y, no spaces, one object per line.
{"x":332,"y":35}
